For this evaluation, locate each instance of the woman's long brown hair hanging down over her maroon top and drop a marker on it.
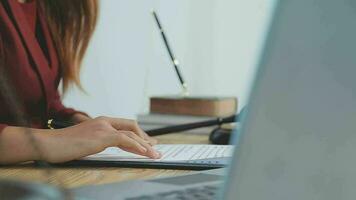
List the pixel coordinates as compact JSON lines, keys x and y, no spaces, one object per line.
{"x":71,"y":23}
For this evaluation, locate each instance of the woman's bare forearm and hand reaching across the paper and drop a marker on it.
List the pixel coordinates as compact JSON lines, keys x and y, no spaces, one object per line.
{"x":18,"y":144}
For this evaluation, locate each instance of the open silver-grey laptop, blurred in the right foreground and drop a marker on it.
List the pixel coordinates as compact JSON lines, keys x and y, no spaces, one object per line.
{"x":298,"y":140}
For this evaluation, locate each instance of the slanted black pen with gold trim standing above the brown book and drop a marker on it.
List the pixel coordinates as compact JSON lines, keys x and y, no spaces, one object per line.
{"x":174,"y":60}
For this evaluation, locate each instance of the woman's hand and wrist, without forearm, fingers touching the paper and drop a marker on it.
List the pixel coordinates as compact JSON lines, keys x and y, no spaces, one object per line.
{"x":93,"y":136}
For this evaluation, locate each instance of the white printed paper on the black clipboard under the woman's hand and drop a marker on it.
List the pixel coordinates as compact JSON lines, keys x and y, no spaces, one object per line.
{"x":170,"y":153}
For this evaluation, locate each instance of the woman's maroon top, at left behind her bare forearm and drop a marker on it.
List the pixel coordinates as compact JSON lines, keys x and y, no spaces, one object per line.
{"x":31,"y":65}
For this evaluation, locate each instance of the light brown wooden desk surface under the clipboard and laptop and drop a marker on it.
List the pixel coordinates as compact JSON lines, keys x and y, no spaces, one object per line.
{"x":74,"y":177}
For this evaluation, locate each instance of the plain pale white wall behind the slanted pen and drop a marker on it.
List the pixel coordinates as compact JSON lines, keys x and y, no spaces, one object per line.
{"x":217,"y":43}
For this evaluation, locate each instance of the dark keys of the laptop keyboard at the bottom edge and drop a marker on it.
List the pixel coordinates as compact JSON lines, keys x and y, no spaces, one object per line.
{"x":196,"y":193}
